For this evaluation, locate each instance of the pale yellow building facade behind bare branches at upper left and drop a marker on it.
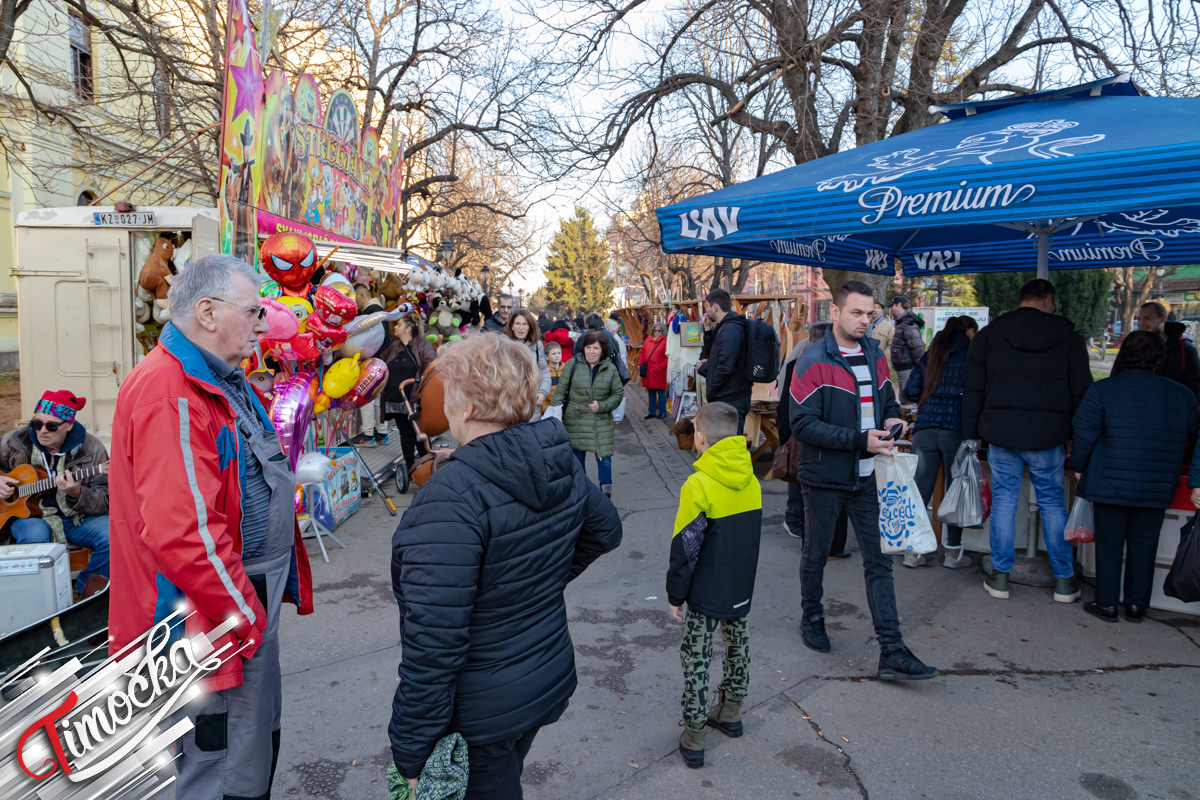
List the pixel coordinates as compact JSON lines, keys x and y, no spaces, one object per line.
{"x":77,"y":121}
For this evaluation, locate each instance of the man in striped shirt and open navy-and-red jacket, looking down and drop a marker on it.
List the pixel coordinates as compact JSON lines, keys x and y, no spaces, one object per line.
{"x":842,"y":405}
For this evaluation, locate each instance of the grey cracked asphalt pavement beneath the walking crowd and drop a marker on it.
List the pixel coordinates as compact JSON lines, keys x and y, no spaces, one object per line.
{"x":1036,"y":699}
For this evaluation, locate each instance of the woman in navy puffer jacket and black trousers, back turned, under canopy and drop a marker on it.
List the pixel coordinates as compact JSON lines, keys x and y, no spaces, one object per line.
{"x":1131,"y":435}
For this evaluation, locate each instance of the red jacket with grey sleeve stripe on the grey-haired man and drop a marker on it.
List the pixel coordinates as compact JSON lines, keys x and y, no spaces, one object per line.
{"x":176,"y":508}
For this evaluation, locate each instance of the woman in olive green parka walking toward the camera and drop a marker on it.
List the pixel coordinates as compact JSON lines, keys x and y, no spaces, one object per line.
{"x":590,"y":390}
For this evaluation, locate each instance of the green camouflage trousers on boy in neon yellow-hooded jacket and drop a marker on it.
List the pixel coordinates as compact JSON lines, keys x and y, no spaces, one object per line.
{"x":697,"y":655}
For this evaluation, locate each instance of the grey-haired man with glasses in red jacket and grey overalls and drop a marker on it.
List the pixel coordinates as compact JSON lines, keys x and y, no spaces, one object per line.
{"x":202,"y":516}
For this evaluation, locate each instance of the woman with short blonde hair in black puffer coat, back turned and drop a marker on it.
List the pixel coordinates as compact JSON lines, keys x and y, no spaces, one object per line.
{"x":479,"y":566}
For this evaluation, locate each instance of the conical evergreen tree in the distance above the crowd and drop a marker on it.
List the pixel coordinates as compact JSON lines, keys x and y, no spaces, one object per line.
{"x":578,"y":268}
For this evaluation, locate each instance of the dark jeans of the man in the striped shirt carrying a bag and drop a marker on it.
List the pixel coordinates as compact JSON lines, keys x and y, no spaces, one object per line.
{"x":821,"y":512}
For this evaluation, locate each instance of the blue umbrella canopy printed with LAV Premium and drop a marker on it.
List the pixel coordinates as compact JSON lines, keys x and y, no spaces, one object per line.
{"x":1095,"y":176}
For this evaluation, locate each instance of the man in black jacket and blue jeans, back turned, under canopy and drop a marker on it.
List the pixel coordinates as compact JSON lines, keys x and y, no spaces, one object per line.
{"x":1027,"y":375}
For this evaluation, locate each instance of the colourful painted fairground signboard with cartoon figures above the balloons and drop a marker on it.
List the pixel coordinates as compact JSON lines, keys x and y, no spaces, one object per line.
{"x":293,"y":164}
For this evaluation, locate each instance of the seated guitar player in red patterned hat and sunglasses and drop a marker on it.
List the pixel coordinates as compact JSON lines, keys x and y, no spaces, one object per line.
{"x":73,"y":512}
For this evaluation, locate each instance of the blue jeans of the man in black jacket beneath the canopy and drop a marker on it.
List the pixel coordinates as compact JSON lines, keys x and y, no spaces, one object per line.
{"x":1046,"y":474}
